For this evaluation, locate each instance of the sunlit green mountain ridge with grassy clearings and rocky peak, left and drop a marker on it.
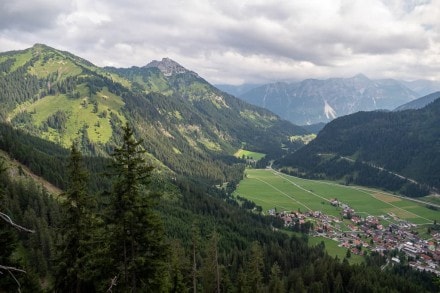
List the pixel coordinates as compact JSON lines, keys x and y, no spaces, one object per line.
{"x":188,"y":126}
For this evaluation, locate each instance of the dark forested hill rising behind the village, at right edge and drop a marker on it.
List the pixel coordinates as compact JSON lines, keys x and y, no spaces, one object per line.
{"x":376,"y":149}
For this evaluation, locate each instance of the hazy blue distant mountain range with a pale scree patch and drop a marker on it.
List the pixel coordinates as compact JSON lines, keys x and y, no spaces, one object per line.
{"x":312,"y":101}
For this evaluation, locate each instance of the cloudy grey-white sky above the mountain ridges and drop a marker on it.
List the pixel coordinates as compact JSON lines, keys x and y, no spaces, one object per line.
{"x":236,"y":42}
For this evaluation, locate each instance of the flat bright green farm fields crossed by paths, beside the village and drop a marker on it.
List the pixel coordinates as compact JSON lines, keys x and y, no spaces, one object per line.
{"x":271,"y":189}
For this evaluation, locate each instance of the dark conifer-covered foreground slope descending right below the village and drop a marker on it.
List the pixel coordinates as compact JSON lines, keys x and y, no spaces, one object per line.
{"x":210,"y":240}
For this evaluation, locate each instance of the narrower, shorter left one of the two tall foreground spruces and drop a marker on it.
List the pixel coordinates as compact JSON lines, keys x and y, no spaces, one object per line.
{"x":75,"y":229}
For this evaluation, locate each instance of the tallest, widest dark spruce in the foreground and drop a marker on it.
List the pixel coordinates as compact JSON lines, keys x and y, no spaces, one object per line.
{"x":137,"y":235}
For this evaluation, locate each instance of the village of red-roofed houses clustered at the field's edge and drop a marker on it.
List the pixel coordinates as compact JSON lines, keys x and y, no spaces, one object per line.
{"x":360,"y":234}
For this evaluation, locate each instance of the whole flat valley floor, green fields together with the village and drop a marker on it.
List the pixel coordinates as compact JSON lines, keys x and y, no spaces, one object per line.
{"x":359,"y":219}
